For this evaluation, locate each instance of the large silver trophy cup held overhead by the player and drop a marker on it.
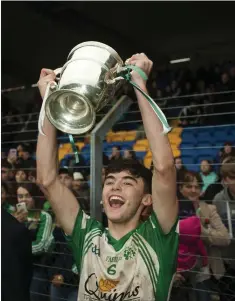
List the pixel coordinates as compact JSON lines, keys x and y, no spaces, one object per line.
{"x":85,"y":85}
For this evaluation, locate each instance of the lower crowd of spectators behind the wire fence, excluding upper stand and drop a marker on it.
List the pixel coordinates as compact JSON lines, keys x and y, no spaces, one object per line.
{"x":204,"y":224}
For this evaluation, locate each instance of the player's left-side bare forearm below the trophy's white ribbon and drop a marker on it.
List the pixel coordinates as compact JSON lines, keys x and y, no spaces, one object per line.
{"x":47,"y":154}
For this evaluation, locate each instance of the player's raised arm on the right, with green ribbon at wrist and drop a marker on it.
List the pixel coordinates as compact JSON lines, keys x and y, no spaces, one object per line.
{"x":164,"y":177}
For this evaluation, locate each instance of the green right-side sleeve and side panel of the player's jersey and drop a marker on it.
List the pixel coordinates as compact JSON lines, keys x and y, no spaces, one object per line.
{"x":166,"y":248}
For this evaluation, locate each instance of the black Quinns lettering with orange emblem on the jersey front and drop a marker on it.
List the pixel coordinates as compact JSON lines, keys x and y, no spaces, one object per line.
{"x":105,"y":290}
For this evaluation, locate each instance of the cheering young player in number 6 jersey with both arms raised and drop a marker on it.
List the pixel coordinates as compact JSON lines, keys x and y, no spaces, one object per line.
{"x":131,"y":261}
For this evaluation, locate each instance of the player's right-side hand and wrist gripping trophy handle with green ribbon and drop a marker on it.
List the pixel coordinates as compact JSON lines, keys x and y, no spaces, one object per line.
{"x":143,"y":62}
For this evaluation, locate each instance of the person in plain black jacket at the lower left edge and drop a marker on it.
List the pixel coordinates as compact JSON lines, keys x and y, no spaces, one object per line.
{"x":17,"y":262}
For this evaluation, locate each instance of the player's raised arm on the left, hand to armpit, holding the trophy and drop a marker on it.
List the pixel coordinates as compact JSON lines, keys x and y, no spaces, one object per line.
{"x":64,"y":203}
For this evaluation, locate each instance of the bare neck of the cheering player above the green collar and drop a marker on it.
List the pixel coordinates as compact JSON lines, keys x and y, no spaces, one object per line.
{"x":118,"y":230}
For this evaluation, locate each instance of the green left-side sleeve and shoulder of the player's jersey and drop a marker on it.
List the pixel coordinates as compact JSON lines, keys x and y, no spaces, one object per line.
{"x":84,"y":225}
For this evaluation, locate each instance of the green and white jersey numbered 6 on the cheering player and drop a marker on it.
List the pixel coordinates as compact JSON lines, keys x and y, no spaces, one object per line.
{"x":138,"y":267}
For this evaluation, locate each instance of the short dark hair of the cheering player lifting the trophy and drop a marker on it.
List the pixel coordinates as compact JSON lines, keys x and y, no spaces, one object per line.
{"x":135,"y":168}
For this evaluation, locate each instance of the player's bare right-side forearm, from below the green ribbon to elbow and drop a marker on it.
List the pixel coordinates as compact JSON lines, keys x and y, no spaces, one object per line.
{"x":159,"y":143}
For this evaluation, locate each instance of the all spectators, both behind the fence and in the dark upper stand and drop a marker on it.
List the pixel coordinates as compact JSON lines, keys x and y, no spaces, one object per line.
{"x":206,"y":199}
